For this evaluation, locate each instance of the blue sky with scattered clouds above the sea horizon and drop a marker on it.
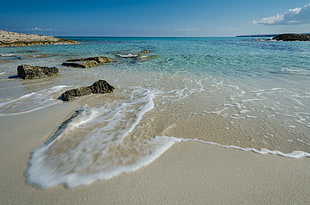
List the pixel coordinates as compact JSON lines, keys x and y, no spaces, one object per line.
{"x":158,"y":18}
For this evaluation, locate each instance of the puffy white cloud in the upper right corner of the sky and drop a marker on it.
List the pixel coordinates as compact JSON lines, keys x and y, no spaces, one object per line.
{"x":291,"y":17}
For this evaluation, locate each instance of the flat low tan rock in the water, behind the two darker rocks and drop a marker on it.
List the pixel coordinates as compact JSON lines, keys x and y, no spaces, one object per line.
{"x":87,"y":62}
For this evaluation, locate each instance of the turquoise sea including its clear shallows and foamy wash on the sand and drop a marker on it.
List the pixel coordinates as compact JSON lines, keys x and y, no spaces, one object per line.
{"x":239,"y":93}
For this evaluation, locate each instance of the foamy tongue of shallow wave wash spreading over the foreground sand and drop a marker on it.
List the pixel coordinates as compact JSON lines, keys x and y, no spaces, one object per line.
{"x":95,"y":144}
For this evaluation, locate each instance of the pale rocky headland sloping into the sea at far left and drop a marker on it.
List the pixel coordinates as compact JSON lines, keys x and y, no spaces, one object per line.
{"x":20,"y":39}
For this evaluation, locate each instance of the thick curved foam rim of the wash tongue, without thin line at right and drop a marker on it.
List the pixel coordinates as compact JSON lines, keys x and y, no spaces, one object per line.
{"x":37,"y":175}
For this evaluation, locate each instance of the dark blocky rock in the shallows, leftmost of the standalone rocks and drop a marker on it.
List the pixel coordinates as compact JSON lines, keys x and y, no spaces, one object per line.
{"x":34,"y":72}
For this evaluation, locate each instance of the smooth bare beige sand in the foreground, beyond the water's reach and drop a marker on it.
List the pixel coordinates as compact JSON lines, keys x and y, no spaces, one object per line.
{"x":188,"y":173}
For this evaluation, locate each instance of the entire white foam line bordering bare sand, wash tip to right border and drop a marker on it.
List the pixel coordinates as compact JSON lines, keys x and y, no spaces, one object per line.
{"x":37,"y":175}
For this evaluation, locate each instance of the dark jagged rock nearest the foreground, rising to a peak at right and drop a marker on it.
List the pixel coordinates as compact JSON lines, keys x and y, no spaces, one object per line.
{"x":100,"y":86}
